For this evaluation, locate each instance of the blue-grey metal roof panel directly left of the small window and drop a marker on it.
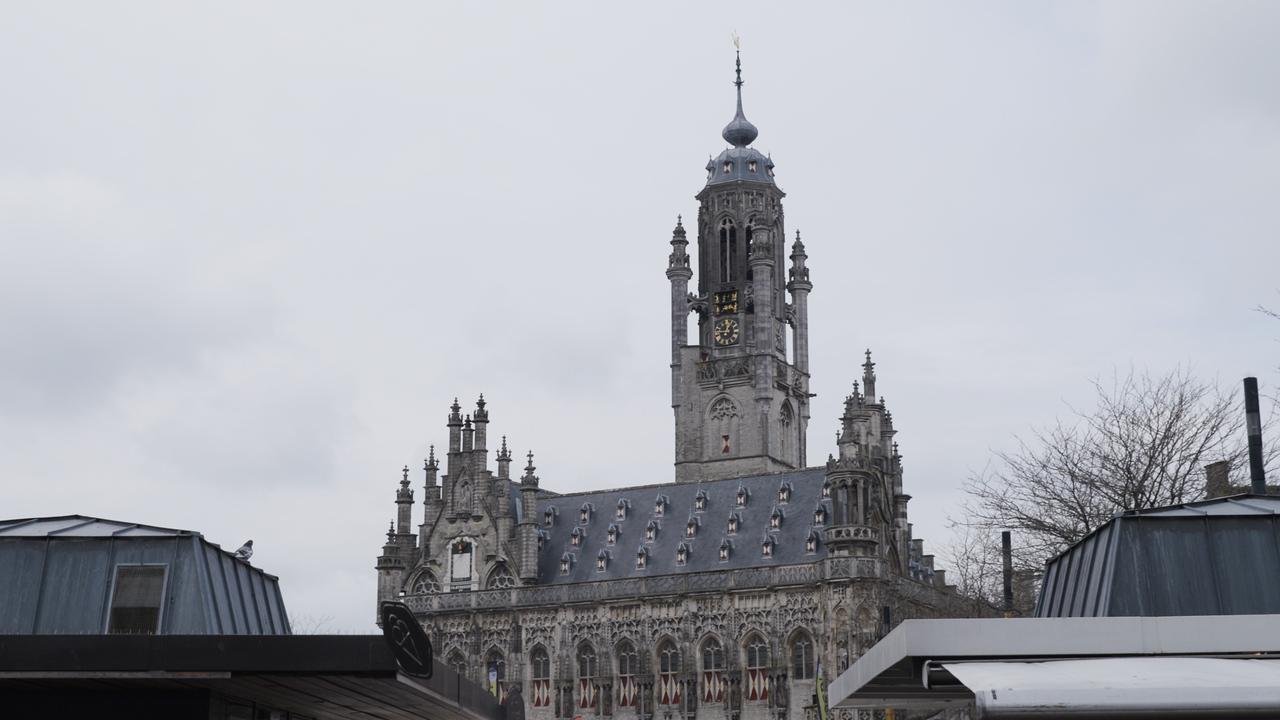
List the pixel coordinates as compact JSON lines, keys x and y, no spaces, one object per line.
{"x":77,"y":581}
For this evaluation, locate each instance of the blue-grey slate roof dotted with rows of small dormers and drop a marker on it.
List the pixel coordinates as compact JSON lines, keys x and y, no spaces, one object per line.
{"x":703,"y":549}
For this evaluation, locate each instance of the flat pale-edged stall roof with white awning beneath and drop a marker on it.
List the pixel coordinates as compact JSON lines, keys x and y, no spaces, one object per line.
{"x":930,"y":664}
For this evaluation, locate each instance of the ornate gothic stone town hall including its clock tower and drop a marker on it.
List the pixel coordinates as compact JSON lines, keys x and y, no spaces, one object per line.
{"x":721,"y":595}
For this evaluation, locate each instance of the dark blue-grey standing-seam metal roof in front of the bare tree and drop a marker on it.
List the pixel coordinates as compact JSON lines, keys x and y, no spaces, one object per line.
{"x":1212,"y":558}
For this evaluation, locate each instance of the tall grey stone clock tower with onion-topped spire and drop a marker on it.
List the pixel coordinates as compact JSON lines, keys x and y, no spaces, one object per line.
{"x":740,"y":391}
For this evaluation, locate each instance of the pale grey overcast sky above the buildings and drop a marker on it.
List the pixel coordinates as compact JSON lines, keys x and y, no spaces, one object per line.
{"x":250,"y":253}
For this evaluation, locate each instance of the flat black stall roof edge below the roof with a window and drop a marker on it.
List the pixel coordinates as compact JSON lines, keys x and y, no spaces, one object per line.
{"x":323,"y":677}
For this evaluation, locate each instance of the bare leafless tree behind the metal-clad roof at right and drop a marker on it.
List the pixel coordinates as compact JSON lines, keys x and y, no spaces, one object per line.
{"x":1145,"y":445}
